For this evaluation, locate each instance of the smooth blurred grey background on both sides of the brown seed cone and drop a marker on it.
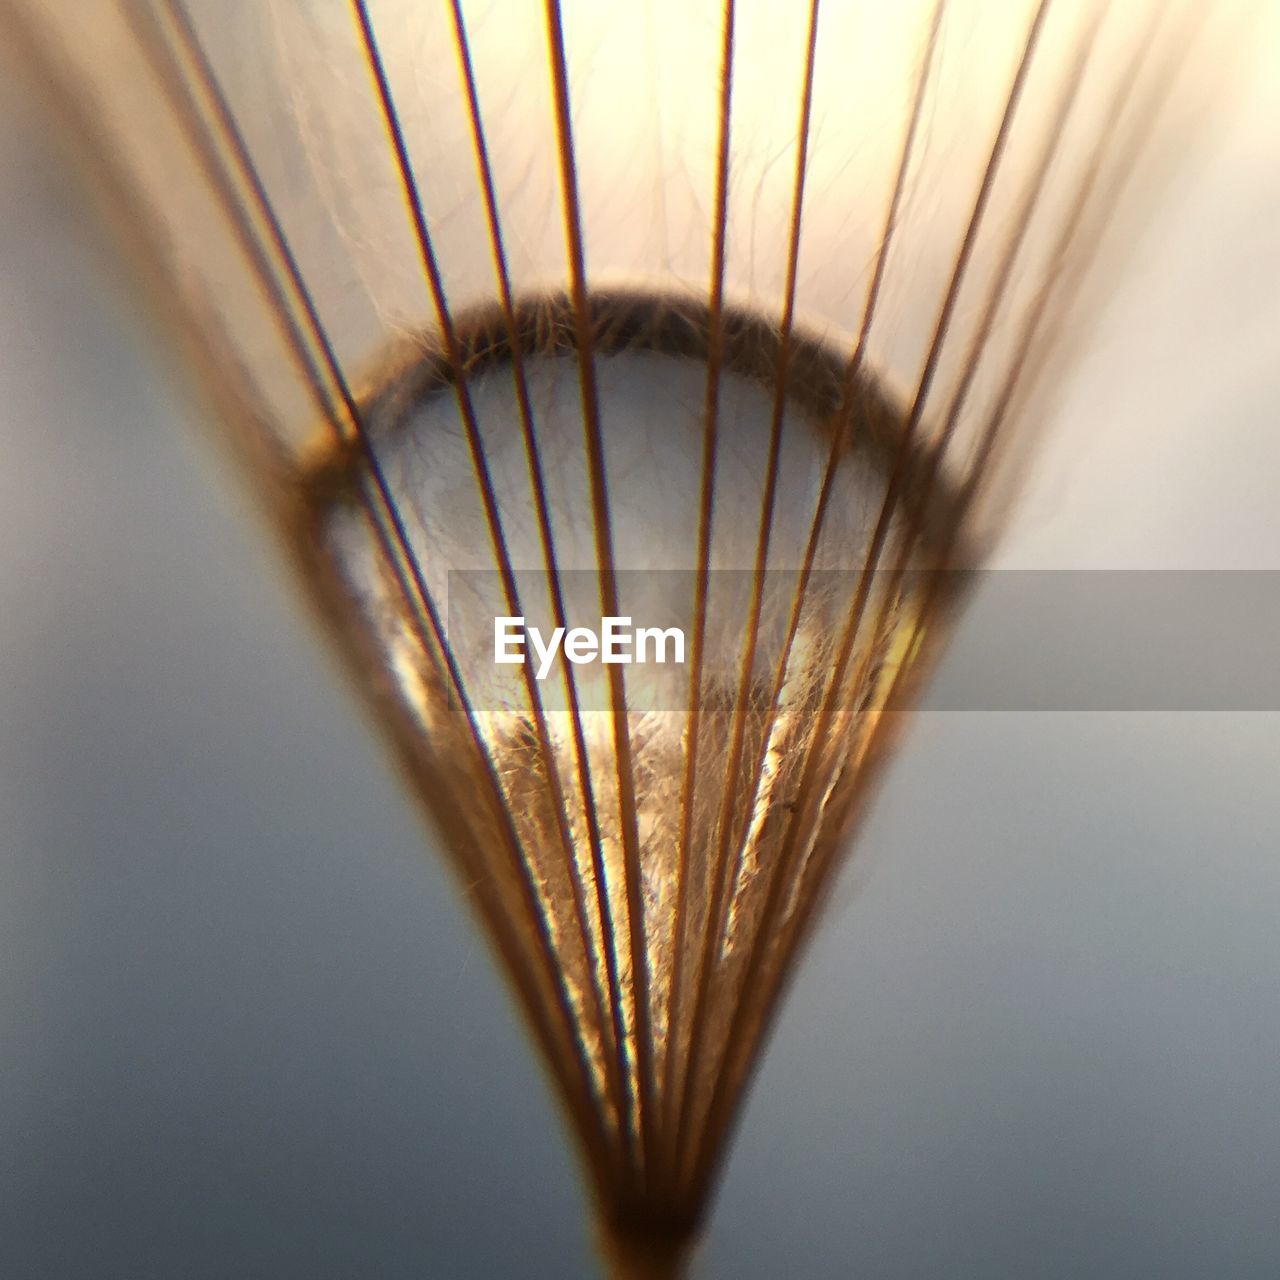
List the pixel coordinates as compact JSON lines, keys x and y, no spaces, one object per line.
{"x":248,"y":1031}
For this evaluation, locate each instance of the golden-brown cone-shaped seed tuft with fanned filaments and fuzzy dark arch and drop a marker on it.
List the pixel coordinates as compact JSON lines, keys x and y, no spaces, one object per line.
{"x":723,"y":310}
